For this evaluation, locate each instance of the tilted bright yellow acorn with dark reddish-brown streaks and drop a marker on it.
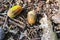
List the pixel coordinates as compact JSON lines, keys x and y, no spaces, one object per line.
{"x":14,"y":11}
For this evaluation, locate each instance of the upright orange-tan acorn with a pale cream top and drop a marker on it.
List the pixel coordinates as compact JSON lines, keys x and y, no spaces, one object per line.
{"x":31,"y":17}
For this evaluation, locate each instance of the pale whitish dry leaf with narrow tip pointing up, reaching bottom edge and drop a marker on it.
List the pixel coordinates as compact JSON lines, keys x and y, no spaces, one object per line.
{"x":48,"y":33}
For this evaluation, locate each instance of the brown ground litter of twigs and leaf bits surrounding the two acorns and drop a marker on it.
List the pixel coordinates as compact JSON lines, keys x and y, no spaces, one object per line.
{"x":47,"y":19}
